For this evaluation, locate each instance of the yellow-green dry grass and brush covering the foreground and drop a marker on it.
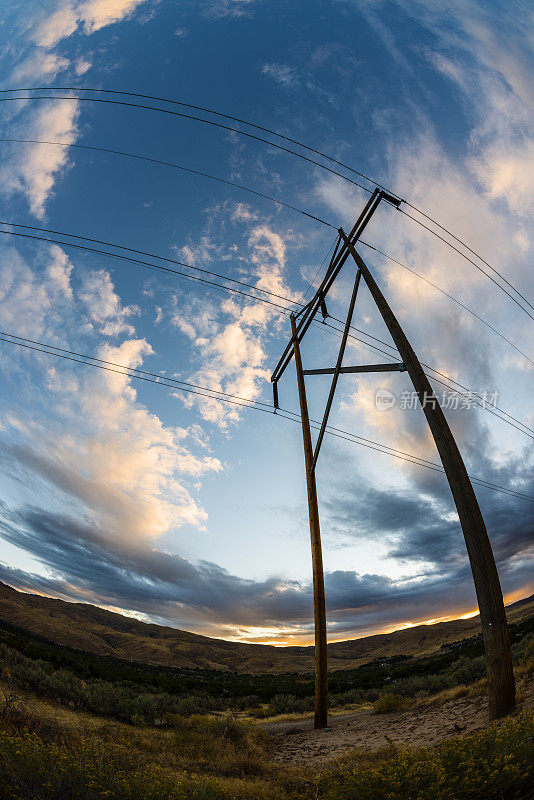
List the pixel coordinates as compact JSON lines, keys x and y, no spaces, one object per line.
{"x":55,"y":753}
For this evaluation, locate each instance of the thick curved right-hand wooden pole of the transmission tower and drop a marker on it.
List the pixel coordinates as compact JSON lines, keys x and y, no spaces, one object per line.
{"x":501,"y":688}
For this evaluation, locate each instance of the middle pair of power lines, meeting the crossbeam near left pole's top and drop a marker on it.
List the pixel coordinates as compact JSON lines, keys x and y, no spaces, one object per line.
{"x":284,"y":309}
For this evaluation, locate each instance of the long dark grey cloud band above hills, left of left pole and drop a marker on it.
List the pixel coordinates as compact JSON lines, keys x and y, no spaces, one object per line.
{"x":141,"y":578}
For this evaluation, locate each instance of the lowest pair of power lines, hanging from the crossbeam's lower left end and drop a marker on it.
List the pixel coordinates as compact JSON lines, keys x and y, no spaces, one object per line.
{"x":161,"y":380}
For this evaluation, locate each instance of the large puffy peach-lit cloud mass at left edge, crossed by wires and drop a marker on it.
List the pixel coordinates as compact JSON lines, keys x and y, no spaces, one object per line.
{"x":84,"y":434}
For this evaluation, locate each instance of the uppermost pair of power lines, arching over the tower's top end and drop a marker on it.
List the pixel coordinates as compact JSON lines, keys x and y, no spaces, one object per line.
{"x":280,"y":136}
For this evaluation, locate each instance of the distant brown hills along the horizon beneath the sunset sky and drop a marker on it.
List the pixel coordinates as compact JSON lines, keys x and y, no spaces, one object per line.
{"x":88,"y":627}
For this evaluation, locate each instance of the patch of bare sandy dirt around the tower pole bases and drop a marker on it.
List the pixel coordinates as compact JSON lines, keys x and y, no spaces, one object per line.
{"x":296,"y":742}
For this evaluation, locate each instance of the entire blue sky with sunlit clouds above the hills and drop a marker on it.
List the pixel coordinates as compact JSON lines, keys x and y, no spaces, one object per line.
{"x":192,"y":512}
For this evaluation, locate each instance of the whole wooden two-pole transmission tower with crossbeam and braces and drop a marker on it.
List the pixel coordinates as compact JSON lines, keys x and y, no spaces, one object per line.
{"x":501,"y":689}
